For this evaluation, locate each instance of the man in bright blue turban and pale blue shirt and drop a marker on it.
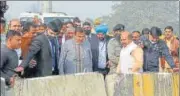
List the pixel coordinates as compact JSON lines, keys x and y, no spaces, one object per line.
{"x":102,"y":56}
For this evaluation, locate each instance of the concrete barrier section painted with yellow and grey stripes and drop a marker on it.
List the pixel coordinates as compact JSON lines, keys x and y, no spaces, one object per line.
{"x":146,"y":84}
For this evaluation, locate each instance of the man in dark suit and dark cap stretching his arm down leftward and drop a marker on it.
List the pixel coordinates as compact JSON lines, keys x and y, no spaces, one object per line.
{"x":45,"y":50}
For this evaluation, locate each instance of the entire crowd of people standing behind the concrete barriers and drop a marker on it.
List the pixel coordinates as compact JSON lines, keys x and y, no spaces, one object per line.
{"x":34,"y":49}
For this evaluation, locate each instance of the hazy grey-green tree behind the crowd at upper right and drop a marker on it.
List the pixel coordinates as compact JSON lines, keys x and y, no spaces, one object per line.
{"x":136,"y":15}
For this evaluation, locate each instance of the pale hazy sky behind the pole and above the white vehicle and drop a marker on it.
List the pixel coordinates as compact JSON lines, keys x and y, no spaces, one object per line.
{"x":81,"y":9}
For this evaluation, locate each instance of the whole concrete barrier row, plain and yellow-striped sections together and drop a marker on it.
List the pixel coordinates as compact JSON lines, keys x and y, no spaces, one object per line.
{"x":93,"y":84}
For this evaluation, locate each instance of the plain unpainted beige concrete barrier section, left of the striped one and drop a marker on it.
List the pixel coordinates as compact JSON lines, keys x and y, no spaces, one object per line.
{"x":88,"y":84}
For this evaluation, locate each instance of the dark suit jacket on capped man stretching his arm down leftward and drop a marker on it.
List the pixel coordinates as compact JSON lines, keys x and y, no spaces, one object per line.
{"x":40,"y":49}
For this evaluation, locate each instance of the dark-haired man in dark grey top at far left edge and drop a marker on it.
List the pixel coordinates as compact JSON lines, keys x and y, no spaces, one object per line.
{"x":9,"y":57}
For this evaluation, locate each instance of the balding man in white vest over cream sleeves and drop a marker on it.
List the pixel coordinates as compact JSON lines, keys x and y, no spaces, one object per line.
{"x":131,"y":55}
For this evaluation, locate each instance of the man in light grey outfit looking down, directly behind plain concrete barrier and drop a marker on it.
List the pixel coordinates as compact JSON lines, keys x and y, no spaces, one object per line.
{"x":76,"y":55}
